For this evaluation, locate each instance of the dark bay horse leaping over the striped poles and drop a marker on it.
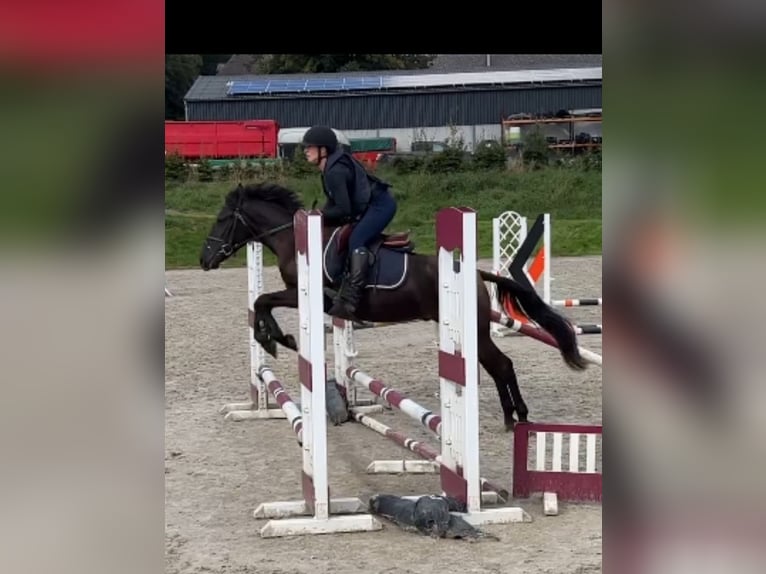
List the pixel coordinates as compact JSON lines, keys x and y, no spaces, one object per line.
{"x":264,"y":213}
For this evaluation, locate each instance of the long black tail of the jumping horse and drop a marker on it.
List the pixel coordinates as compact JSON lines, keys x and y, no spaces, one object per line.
{"x":528,"y":302}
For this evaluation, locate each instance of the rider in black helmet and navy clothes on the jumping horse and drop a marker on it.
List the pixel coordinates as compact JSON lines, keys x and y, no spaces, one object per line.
{"x":353,"y":196}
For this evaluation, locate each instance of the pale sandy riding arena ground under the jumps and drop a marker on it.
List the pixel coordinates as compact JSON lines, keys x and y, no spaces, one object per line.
{"x":218,"y":471}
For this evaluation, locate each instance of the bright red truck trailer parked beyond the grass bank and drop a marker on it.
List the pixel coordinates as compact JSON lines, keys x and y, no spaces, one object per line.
{"x":194,"y":140}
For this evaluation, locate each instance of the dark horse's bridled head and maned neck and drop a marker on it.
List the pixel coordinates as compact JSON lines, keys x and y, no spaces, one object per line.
{"x":249,"y":213}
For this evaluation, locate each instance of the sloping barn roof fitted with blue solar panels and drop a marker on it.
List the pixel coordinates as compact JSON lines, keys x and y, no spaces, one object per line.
{"x":218,"y":87}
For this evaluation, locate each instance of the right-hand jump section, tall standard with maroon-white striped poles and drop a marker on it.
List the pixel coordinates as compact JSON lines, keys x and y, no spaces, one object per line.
{"x":457,"y":425}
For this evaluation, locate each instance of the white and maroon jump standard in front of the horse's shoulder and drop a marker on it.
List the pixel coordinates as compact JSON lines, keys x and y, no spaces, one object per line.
{"x":326,"y":515}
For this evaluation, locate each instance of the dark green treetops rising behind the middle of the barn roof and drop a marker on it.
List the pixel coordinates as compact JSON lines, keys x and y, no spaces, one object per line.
{"x":326,"y":63}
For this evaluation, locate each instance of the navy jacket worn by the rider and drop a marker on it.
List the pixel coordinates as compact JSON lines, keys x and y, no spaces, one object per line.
{"x":348,"y":188}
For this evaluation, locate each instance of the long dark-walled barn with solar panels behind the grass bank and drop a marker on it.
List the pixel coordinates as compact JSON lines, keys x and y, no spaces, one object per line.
{"x":468,"y":94}
